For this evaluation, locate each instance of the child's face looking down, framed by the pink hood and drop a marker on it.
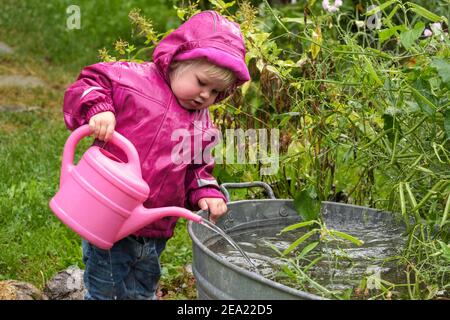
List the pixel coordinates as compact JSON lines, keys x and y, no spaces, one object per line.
{"x":194,"y":89}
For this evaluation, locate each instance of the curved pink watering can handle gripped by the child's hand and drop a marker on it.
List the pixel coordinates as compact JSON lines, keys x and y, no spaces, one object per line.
{"x":84,"y":131}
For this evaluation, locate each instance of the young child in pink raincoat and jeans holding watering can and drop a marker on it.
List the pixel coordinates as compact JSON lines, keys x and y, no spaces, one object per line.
{"x":198,"y":64}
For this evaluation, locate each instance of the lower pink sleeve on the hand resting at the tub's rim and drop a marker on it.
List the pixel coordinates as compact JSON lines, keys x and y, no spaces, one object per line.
{"x":201,"y":184}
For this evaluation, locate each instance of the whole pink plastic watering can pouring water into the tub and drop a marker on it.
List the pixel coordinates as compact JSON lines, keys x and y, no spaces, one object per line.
{"x":101,"y":198}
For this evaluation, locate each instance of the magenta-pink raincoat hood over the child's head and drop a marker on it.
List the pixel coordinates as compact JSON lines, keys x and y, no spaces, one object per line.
{"x":205,"y":35}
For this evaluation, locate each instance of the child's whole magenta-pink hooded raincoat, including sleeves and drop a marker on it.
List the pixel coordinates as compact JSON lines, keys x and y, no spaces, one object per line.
{"x":148,"y":113}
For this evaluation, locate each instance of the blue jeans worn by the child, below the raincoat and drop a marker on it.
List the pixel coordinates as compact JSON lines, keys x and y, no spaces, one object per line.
{"x":129,"y":270}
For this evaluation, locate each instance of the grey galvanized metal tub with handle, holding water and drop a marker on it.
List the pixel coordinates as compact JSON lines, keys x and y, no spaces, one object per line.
{"x":217,"y":278}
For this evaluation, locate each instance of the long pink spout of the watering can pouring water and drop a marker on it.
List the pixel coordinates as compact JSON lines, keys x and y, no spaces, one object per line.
{"x":142,"y":216}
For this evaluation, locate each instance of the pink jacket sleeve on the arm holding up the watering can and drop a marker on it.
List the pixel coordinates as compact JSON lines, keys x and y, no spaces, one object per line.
{"x":90,"y":94}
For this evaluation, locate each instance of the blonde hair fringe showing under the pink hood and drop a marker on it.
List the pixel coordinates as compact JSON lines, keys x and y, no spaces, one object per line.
{"x":224,"y":75}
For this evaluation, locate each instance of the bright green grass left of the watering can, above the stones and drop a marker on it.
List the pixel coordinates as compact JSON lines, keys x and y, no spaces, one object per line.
{"x":34,"y":244}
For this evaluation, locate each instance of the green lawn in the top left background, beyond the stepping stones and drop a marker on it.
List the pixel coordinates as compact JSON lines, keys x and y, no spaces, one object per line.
{"x":40,"y":30}
